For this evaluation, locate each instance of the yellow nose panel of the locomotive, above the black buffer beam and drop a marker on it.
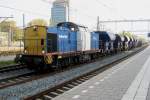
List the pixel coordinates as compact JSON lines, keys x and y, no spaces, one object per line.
{"x":34,"y":40}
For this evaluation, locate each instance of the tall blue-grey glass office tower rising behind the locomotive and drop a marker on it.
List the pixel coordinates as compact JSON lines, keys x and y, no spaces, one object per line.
{"x":59,"y":11}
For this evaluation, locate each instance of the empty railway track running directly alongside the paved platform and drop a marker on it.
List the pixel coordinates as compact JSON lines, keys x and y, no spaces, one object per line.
{"x":69,"y":84}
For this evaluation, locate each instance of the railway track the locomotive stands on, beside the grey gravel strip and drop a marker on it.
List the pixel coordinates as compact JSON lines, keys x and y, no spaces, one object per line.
{"x":28,"y":76}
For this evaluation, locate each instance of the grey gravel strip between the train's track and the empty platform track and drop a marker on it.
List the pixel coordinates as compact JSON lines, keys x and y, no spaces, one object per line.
{"x":30,"y":88}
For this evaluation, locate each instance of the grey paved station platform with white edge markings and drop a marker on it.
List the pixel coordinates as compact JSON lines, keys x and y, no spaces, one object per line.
{"x":128,"y":80}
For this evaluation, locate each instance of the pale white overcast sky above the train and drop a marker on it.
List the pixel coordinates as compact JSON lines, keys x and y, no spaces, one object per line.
{"x":82,"y":11}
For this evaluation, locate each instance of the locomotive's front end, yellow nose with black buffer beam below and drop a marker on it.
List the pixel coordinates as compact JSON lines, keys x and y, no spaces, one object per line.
{"x":35,"y":47}
